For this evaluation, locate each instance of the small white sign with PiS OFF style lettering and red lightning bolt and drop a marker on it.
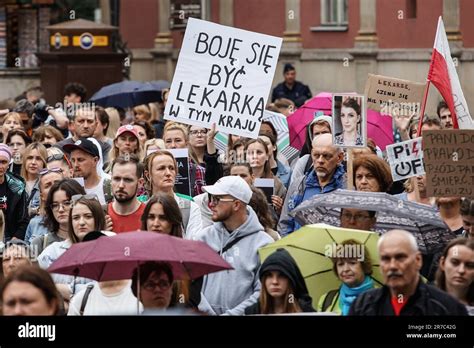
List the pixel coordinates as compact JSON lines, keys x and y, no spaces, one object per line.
{"x":406,"y":159}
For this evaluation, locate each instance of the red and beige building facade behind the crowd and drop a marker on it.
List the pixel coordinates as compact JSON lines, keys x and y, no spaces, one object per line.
{"x":333,"y":44}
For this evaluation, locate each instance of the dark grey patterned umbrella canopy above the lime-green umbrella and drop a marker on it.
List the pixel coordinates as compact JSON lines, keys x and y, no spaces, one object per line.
{"x":422,"y":221}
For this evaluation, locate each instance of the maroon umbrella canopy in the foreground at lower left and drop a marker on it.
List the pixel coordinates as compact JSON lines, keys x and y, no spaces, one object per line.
{"x":114,"y":258}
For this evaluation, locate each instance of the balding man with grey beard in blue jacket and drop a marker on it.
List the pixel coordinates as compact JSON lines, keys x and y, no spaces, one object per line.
{"x":327,"y":175}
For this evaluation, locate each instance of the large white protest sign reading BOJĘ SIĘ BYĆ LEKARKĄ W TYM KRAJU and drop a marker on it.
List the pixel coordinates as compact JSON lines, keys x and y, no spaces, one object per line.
{"x":223,"y":76}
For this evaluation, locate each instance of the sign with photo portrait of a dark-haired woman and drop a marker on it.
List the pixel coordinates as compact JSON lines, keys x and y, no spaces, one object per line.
{"x":349,"y":120}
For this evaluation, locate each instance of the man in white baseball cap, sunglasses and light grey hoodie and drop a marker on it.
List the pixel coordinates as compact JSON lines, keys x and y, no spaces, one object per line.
{"x":236,"y":235}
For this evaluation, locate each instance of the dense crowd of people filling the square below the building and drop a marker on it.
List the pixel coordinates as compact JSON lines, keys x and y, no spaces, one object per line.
{"x":76,"y":175}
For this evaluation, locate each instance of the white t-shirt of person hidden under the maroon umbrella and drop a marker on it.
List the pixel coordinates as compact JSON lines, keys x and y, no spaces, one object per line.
{"x":98,"y":303}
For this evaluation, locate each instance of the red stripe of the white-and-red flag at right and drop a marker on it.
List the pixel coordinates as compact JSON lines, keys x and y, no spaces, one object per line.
{"x":439,"y":76}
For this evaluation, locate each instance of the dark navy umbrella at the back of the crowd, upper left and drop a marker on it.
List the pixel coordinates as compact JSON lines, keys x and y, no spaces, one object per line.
{"x":126,"y":94}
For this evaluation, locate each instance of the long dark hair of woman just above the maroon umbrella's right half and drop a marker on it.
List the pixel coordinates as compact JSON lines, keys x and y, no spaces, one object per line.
{"x":171,"y":211}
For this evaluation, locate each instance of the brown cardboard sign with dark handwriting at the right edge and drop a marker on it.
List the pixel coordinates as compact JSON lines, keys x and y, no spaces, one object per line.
{"x":449,"y":162}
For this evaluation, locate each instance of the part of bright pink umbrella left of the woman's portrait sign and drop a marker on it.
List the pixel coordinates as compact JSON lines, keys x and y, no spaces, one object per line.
{"x":299,"y":120}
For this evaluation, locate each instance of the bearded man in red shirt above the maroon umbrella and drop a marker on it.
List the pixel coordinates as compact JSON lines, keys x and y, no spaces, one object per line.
{"x":126,"y":210}
